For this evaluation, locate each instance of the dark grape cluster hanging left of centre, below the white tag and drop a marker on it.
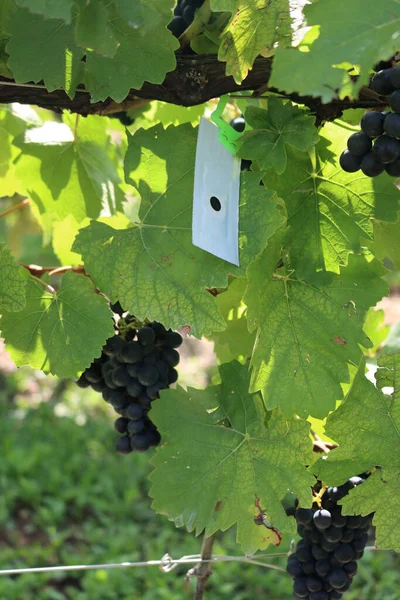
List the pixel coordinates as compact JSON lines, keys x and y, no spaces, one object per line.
{"x":135,"y":364}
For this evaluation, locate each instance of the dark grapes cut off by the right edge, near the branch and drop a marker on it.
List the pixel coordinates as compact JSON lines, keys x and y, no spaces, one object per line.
{"x":382,"y":154}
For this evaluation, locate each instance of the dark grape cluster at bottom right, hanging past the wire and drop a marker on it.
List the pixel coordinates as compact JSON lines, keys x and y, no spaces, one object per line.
{"x":325,"y":560}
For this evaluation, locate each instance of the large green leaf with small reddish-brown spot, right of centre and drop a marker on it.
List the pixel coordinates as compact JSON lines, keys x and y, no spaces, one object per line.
{"x":308,"y":331}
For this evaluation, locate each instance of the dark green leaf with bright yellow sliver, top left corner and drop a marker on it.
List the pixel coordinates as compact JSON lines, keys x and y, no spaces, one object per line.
{"x":57,"y":62}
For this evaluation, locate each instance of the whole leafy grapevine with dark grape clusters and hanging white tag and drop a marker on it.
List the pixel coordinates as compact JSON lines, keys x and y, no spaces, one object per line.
{"x":102,"y":170}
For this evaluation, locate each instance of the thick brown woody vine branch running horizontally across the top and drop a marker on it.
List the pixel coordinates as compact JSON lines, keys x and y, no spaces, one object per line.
{"x":195,"y":80}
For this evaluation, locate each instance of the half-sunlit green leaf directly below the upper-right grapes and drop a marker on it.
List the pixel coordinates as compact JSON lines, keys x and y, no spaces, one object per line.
{"x":329,"y":211}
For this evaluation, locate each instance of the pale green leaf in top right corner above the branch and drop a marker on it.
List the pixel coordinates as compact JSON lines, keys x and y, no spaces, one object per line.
{"x":348,"y":35}
